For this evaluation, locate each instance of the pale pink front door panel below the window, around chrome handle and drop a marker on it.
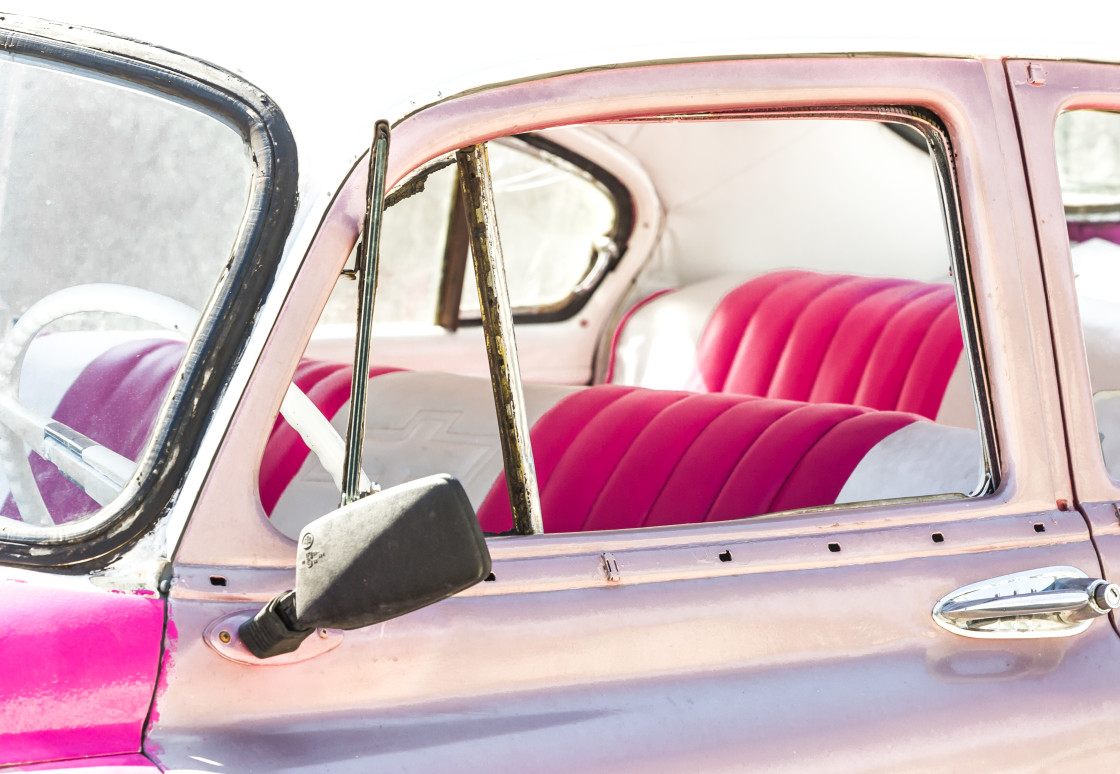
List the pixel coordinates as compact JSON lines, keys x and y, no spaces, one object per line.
{"x":554,"y":667}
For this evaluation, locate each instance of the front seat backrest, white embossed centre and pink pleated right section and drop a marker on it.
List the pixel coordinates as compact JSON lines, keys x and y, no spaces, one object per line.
{"x":613,"y":456}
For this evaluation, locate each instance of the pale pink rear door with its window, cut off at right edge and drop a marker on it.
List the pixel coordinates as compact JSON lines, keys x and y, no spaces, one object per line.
{"x":1076,"y":241}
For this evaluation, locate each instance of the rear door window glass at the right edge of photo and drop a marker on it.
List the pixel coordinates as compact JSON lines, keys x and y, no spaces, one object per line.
{"x":1088,"y":146}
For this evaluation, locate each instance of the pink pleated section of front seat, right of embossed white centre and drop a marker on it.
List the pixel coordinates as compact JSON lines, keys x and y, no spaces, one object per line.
{"x":619,"y":458}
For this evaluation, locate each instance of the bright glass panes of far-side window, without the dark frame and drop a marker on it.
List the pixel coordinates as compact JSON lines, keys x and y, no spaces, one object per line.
{"x":558,"y":220}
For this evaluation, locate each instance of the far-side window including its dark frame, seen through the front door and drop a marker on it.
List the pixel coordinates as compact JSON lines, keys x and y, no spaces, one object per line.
{"x":566,"y":223}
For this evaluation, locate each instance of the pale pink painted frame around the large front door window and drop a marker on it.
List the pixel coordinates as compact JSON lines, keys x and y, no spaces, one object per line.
{"x":959,"y":92}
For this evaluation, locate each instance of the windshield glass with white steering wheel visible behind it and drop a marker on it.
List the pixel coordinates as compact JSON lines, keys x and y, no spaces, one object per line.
{"x":119,"y":209}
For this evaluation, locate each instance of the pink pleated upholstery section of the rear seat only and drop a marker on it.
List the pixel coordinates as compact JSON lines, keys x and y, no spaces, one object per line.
{"x":888,"y":344}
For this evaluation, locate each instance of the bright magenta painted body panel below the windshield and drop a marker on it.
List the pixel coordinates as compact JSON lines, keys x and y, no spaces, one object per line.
{"x":80,"y":668}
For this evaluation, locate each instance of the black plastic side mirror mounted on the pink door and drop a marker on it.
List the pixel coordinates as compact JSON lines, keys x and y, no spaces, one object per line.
{"x":380,"y":557}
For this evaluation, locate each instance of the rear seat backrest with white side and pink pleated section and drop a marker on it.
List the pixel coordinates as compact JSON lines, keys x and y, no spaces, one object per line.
{"x":888,"y":344}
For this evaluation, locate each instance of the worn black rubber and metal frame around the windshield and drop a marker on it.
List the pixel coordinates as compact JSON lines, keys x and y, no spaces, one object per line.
{"x":230,"y":314}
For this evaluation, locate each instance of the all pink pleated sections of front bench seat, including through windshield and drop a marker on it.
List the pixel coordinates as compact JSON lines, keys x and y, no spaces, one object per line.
{"x":608,"y":458}
